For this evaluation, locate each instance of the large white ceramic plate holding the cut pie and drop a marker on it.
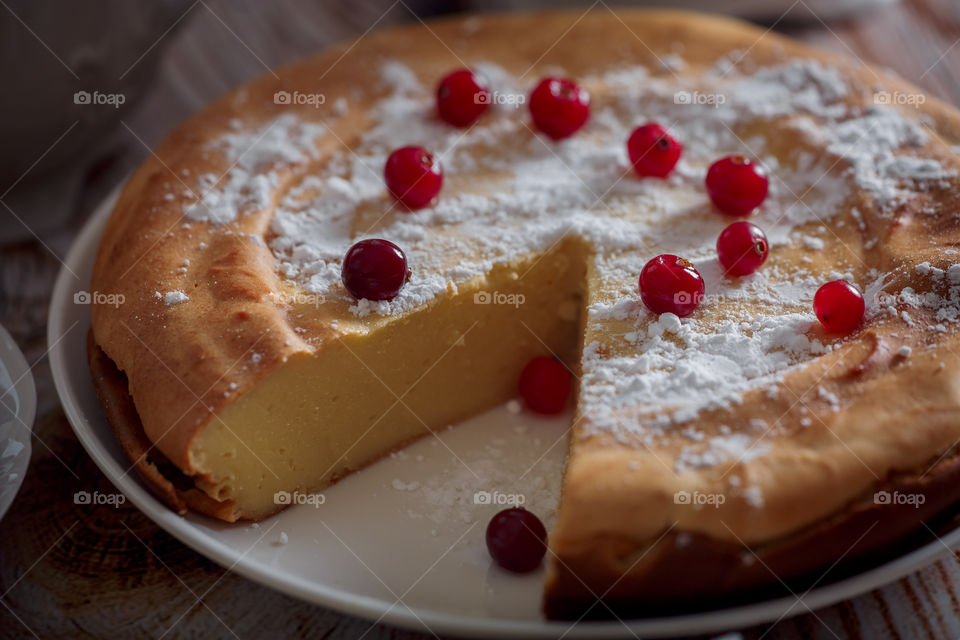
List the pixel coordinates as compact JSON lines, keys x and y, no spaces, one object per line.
{"x":402,"y":541}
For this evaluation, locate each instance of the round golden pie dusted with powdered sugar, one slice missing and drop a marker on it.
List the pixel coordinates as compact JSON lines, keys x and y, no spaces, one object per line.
{"x":712,"y":457}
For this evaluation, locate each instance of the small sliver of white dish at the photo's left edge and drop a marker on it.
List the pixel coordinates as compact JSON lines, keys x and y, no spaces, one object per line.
{"x":18,"y":406}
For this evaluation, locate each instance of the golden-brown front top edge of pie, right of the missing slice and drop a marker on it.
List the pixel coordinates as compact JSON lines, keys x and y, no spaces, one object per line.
{"x":897,"y":415}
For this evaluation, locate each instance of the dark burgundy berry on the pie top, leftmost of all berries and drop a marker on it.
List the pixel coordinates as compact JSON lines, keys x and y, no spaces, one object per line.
{"x":374,"y":269}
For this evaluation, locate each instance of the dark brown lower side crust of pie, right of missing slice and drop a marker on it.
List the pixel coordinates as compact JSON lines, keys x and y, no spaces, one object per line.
{"x":689,"y":572}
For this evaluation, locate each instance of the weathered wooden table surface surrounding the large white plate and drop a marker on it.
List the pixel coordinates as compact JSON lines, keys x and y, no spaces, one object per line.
{"x":70,"y":570}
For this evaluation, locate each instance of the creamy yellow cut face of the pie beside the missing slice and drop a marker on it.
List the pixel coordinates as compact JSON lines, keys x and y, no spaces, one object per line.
{"x":334,"y":414}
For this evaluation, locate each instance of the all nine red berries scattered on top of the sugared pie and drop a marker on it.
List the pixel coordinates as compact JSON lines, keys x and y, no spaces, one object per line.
{"x":377,"y":269}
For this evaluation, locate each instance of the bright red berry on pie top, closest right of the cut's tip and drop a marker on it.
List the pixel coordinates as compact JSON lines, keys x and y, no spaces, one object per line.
{"x":671,"y":284}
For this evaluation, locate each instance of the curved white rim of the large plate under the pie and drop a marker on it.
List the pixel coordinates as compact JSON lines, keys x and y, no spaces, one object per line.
{"x":398,"y":614}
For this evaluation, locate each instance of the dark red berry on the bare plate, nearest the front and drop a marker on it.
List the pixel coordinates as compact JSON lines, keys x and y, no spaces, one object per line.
{"x":517,"y":540}
